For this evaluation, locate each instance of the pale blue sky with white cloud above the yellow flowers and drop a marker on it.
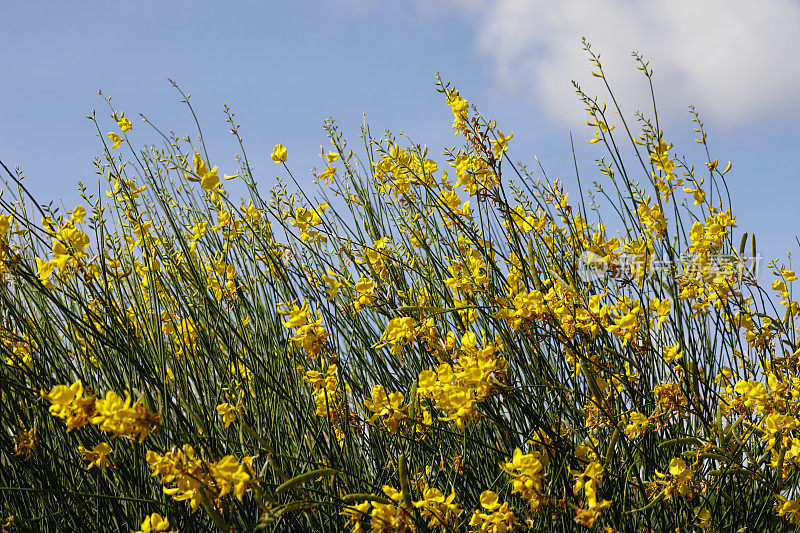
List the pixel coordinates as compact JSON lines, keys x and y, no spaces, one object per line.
{"x":285,"y":67}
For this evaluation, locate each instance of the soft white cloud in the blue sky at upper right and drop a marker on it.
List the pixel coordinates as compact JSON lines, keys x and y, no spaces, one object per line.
{"x":736,"y":60}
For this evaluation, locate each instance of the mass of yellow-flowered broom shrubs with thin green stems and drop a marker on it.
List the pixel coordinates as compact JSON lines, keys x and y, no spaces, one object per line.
{"x":412,"y":345}
